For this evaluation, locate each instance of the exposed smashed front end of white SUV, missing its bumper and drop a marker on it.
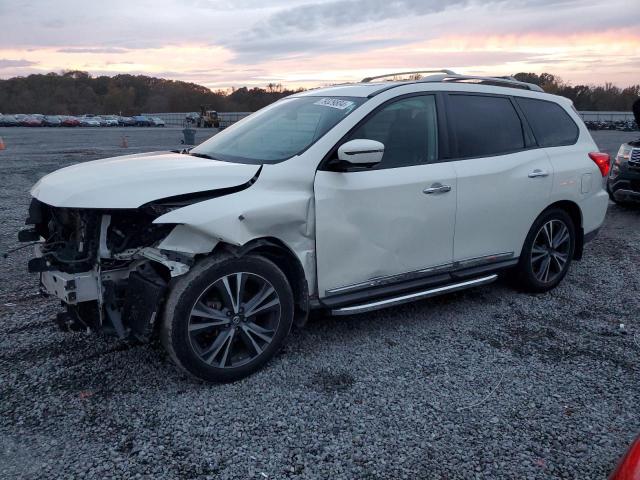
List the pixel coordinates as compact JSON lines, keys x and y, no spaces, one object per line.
{"x":104,"y":265}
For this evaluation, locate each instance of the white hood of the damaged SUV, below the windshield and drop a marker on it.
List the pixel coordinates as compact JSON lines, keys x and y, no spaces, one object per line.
{"x":133,"y":180}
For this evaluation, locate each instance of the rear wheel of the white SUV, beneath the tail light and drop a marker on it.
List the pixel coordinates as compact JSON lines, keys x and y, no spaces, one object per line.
{"x":547,"y":251}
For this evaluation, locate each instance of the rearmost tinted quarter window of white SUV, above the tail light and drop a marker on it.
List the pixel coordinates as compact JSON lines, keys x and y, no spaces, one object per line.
{"x":551,"y":125}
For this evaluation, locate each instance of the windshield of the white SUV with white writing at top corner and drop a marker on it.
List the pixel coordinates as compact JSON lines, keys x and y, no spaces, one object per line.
{"x":280,"y":131}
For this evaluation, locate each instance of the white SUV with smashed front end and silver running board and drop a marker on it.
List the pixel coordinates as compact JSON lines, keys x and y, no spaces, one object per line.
{"x":348,"y":199}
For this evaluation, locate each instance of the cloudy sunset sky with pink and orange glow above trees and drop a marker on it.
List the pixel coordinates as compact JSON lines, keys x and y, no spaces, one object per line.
{"x":308,"y":43}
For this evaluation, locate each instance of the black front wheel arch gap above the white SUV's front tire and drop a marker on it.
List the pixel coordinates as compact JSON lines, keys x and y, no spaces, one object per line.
{"x":283,"y":257}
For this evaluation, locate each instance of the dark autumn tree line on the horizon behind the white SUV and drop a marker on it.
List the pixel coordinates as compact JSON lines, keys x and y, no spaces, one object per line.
{"x":77,"y":92}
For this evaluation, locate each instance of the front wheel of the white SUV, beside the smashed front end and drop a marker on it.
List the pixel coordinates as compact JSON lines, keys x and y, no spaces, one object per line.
{"x":227,"y":317}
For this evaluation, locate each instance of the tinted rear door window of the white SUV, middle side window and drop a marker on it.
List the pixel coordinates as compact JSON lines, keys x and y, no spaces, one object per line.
{"x":484,"y":126}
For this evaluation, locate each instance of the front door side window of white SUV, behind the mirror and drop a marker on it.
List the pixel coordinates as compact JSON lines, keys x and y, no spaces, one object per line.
{"x":408,"y":129}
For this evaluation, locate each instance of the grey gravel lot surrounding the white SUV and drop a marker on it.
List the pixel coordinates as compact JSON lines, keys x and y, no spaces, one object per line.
{"x":488,"y":383}
